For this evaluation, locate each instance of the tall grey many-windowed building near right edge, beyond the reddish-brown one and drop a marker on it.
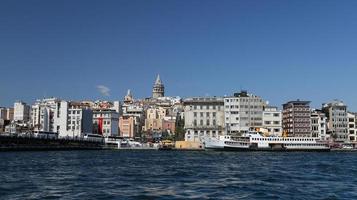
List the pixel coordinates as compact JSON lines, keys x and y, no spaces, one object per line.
{"x":337,"y":122}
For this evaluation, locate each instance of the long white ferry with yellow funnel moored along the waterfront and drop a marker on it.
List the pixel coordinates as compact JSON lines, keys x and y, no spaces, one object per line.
{"x":255,"y":141}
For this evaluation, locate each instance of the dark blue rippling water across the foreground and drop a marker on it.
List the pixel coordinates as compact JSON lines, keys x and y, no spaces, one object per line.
{"x":177,"y":175}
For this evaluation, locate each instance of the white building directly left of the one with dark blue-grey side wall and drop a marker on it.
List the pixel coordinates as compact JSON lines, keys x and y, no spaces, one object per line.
{"x":43,"y":113}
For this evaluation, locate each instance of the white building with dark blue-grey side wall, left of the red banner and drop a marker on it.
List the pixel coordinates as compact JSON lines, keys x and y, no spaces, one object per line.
{"x":73,"y":119}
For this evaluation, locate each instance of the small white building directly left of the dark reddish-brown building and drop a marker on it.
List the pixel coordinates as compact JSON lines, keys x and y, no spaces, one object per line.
{"x":272,"y":120}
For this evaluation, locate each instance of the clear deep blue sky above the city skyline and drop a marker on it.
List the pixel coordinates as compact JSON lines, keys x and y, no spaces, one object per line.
{"x":280,"y":50}
